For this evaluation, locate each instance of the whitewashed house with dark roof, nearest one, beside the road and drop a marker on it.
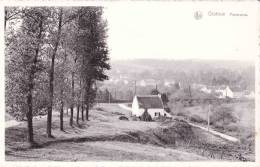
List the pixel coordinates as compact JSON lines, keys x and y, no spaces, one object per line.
{"x":153,"y":104}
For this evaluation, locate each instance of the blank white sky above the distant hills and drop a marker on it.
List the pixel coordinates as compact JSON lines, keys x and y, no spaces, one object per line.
{"x":170,"y":31}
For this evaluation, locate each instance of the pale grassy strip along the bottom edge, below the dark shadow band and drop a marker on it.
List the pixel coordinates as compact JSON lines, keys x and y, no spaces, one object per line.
{"x":105,"y":151}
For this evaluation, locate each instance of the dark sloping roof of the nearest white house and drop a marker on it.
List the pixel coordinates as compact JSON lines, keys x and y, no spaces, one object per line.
{"x":152,"y":101}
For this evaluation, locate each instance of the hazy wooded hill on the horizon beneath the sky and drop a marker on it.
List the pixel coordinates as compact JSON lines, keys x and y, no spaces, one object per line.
{"x":235,"y":73}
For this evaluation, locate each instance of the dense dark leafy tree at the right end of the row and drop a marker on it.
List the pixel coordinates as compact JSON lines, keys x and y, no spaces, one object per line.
{"x":92,"y":47}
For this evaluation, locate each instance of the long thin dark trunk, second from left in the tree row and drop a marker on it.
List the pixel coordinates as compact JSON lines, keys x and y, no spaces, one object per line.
{"x":49,"y":116}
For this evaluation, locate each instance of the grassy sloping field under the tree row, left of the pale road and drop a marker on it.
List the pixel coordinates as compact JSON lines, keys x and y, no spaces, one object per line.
{"x":105,"y":137}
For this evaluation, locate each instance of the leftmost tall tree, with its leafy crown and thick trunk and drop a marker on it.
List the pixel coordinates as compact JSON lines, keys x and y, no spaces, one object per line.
{"x":25,"y":62}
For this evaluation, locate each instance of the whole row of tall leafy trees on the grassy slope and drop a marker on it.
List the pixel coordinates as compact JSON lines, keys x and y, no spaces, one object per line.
{"x":54,"y":56}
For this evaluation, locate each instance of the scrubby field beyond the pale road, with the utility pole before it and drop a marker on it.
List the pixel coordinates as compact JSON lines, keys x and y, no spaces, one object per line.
{"x":240,"y":123}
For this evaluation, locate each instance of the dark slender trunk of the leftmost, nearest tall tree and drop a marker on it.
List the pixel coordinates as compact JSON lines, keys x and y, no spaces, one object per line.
{"x":29,"y":113}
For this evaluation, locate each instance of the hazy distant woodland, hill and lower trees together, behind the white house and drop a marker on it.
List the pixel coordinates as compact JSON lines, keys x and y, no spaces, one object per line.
{"x":239,"y":75}
